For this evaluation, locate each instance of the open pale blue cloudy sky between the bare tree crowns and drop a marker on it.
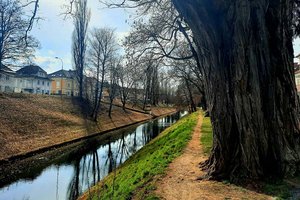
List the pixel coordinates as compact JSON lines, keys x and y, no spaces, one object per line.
{"x":55,"y":33}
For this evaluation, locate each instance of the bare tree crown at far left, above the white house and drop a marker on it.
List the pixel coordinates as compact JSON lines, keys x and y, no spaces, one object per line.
{"x":15,"y":43}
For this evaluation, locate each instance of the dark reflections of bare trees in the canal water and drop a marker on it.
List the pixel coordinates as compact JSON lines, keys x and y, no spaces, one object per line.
{"x":87,"y":167}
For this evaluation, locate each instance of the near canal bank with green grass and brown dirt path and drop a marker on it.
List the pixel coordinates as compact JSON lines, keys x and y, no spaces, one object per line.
{"x":165,"y":170}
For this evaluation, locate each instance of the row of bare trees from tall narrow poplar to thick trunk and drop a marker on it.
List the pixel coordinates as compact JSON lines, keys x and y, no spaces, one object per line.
{"x":139,"y":76}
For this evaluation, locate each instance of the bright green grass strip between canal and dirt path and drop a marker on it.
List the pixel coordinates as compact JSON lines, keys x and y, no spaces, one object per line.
{"x":138,"y":175}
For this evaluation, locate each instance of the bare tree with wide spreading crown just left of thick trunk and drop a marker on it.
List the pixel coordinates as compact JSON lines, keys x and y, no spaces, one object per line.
{"x":167,"y":37}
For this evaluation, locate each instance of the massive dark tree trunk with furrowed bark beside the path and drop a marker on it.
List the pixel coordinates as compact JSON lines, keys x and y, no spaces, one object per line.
{"x":246,"y":51}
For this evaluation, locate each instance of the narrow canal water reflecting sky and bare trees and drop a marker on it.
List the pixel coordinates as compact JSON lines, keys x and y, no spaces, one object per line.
{"x":67,"y":172}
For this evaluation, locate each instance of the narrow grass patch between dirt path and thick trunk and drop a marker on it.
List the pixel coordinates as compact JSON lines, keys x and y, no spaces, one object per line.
{"x":206,"y":135}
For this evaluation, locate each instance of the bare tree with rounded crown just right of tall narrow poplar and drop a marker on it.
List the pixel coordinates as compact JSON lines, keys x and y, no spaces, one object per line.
{"x":102,"y":50}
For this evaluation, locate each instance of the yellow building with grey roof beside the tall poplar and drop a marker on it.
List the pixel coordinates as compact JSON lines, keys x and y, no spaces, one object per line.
{"x":64,"y":82}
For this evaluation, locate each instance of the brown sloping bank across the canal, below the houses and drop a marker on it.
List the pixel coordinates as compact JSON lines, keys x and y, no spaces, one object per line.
{"x":31,"y":123}
